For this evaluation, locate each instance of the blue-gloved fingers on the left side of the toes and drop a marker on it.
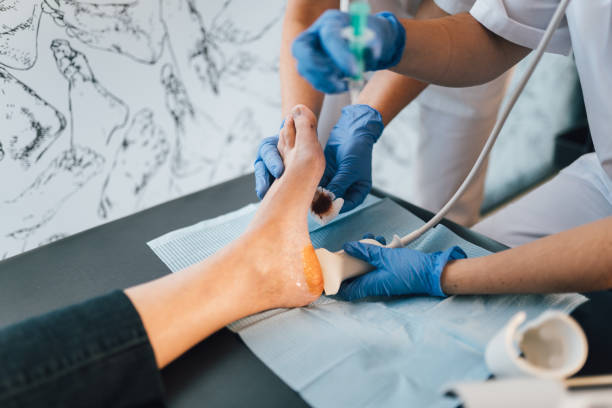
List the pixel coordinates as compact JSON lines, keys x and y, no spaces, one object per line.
{"x":268,"y":165}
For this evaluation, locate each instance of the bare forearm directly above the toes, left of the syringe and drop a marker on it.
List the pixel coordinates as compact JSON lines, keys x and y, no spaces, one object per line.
{"x":295,"y":89}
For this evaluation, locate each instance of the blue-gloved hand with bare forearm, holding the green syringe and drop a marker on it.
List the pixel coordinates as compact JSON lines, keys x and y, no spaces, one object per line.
{"x":453,"y":51}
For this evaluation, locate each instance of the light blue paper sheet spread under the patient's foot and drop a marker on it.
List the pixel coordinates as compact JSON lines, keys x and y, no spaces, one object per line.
{"x":375,"y":352}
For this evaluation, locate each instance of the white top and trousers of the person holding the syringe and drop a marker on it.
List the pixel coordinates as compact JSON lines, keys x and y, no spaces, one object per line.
{"x":582,"y":192}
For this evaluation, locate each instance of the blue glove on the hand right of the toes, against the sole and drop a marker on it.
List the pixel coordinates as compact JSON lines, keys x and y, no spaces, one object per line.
{"x":348,"y":154}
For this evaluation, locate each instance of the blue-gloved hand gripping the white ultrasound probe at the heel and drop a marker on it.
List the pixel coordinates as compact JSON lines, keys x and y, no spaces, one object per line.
{"x":399,"y":271}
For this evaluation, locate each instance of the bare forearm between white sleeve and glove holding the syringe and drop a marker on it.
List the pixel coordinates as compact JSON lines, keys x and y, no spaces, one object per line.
{"x":455,"y":51}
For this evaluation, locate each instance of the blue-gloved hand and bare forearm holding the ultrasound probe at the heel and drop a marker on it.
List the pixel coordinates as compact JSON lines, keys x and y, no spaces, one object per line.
{"x":577,"y":260}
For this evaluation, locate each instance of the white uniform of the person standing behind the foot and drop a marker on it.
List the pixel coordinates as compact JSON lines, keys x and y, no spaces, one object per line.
{"x":453,"y":126}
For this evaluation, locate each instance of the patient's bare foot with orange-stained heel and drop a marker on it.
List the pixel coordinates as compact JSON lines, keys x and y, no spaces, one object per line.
{"x":276,"y":248}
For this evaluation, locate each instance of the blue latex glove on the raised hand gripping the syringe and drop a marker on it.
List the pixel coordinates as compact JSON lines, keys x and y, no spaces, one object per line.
{"x":324,"y":56}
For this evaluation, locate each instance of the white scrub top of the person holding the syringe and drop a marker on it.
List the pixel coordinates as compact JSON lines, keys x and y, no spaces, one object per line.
{"x":587,"y":30}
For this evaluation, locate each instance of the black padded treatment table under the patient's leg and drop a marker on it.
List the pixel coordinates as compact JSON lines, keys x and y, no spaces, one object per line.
{"x":221,"y":370}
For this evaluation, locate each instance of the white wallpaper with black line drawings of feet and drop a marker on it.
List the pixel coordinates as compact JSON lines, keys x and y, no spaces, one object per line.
{"x":111,"y":106}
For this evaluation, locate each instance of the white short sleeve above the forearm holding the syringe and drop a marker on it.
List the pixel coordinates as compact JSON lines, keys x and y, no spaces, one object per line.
{"x":523,"y":22}
